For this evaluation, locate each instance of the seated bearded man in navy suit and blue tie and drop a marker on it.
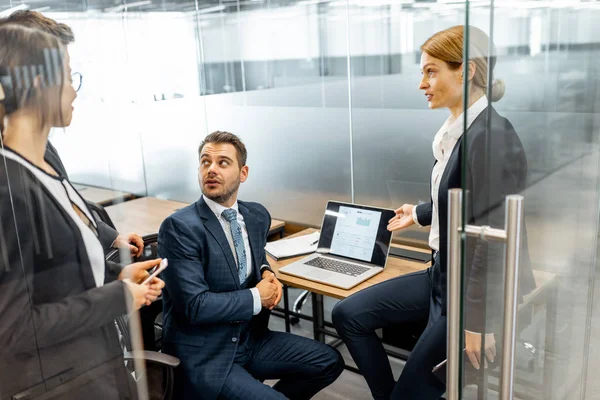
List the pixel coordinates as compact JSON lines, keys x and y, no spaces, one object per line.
{"x":220,"y":290}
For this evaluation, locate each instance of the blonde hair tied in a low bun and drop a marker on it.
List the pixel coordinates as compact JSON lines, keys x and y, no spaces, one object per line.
{"x":448,"y":45}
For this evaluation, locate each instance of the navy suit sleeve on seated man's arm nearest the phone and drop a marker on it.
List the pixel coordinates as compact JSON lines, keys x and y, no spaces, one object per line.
{"x":186,"y":284}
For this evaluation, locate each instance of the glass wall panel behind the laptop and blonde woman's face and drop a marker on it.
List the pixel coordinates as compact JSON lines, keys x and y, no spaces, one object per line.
{"x":392,"y":127}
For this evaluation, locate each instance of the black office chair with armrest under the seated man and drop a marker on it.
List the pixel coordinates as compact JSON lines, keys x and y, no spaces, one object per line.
{"x":159,"y":367}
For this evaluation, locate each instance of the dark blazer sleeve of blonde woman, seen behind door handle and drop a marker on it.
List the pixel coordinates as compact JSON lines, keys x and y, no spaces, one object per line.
{"x":492,"y":175}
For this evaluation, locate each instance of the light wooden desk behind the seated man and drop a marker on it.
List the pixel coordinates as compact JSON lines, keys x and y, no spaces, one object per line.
{"x":144,"y":215}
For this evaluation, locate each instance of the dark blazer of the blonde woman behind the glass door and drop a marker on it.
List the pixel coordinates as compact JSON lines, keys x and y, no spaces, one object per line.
{"x":495,"y":166}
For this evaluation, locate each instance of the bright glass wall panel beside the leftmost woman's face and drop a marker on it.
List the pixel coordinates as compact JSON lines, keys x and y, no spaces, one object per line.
{"x":102,"y":147}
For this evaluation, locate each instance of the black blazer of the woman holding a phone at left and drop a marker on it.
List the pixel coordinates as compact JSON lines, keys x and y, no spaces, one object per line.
{"x":57,"y":330}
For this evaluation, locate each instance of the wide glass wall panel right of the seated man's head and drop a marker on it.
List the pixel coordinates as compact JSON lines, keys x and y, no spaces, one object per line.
{"x":286,"y":68}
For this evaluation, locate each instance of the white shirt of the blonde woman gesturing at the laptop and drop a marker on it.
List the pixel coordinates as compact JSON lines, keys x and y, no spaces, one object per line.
{"x":443,"y":145}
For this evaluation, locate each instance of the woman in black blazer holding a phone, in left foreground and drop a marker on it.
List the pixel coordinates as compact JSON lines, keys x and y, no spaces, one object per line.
{"x":58,"y":296}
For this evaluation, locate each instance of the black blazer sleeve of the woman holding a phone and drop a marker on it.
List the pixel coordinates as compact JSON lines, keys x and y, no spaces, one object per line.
{"x":27,"y":325}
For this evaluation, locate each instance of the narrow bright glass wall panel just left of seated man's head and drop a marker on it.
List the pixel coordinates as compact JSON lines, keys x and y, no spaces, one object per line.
{"x":171,"y":121}
